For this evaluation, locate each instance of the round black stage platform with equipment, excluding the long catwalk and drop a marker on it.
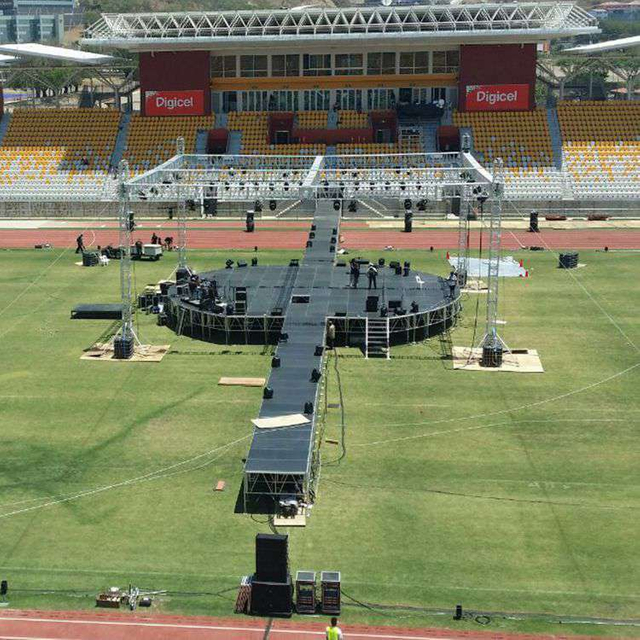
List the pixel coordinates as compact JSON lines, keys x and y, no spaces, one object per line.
{"x":248,"y":304}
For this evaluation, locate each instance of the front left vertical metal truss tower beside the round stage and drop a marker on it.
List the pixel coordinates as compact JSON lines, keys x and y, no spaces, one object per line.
{"x":125,"y":228}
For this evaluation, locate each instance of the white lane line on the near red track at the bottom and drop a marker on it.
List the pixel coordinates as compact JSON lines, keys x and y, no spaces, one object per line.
{"x":203,"y":627}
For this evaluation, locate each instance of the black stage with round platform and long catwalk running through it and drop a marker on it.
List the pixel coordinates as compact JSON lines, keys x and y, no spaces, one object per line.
{"x":291,"y":306}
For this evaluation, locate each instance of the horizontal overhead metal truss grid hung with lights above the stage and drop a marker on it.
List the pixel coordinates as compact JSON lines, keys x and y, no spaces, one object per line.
{"x":432,"y":176}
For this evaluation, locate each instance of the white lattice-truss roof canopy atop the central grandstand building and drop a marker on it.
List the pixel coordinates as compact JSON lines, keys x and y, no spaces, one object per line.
{"x":411,"y":25}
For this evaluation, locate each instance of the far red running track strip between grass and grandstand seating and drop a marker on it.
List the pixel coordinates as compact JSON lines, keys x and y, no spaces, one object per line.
{"x":353,"y":239}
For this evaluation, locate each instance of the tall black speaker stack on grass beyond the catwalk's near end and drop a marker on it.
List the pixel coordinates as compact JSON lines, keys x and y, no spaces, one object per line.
{"x":272,"y":588}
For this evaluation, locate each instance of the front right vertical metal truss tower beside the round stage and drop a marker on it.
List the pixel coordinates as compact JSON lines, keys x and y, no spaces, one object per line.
{"x":491,"y":339}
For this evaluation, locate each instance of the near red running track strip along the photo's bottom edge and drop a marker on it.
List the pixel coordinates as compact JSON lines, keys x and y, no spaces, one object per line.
{"x":69,"y":625}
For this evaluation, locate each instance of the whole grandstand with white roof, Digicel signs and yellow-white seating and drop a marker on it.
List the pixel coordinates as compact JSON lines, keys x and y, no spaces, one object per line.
{"x":379,"y":81}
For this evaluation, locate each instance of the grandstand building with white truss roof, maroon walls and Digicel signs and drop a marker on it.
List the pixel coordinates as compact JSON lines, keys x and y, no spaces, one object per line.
{"x":474,"y":57}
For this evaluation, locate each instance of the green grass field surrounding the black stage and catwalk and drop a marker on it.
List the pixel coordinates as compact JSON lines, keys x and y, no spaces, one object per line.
{"x":503,"y":492}
